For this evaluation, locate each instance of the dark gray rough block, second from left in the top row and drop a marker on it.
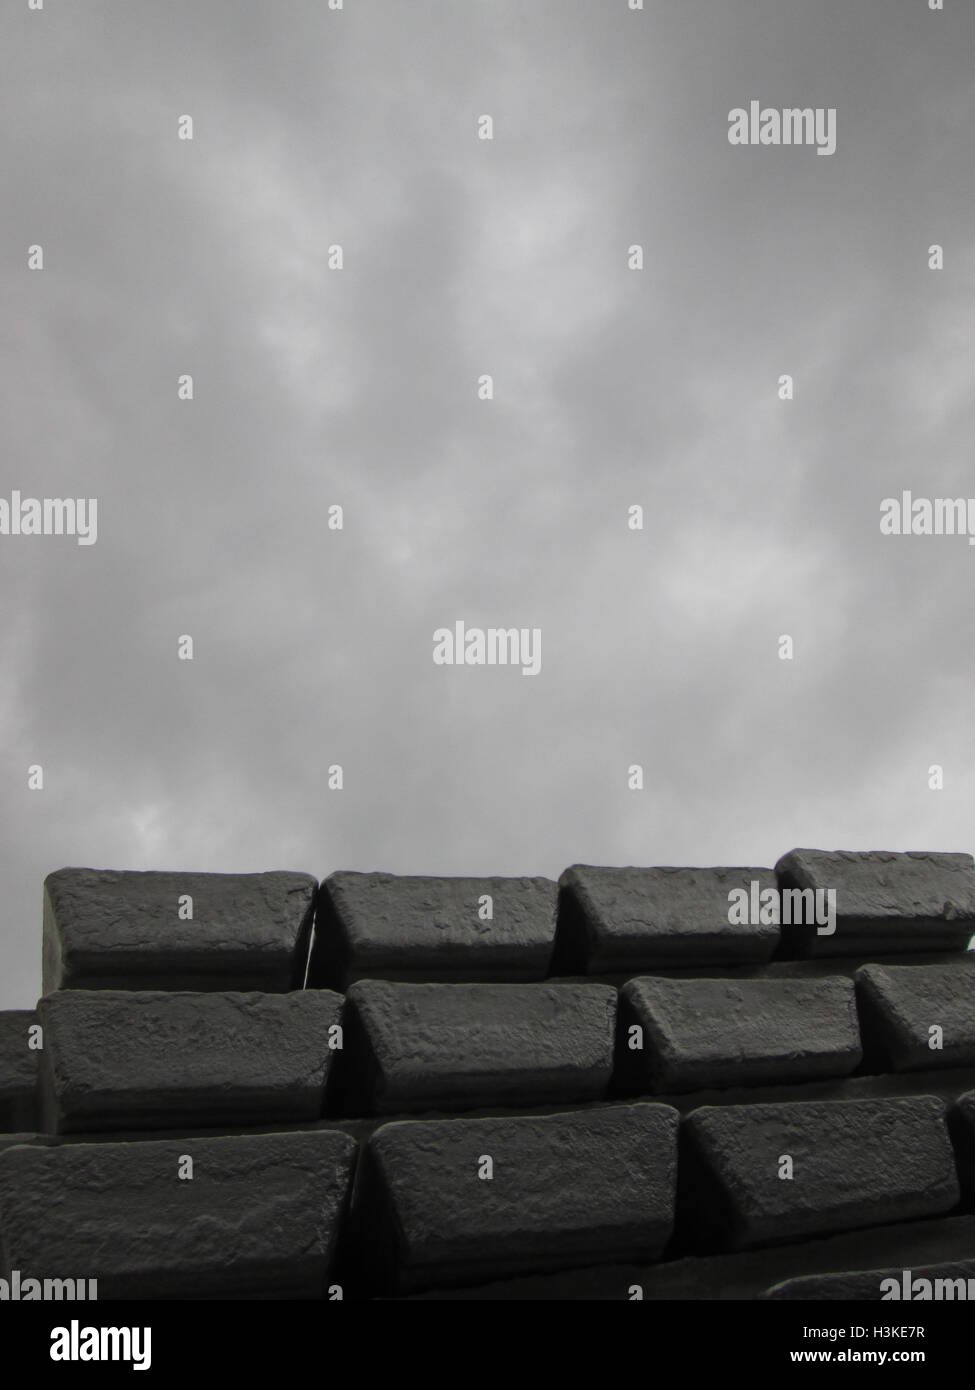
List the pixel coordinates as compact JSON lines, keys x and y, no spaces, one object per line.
{"x":401,"y":928}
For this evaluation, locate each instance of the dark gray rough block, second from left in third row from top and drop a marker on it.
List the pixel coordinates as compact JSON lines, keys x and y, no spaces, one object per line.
{"x":579,"y":1189}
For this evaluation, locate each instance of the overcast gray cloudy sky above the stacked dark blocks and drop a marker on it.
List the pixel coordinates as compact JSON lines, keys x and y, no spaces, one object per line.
{"x":613,"y":389}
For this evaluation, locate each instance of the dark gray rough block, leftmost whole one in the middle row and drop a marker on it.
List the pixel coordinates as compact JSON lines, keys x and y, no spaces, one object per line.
{"x":129,"y":1060}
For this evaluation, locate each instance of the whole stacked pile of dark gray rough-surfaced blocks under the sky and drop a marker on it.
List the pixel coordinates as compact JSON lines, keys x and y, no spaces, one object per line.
{"x":635,"y":1084}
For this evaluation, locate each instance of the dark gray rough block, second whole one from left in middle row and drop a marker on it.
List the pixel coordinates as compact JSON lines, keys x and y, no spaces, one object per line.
{"x":421,"y":1047}
